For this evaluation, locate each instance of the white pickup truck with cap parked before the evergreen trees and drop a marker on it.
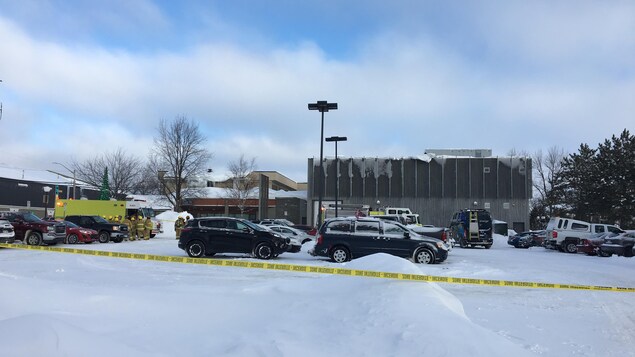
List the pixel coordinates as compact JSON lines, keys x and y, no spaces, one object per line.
{"x":564,"y":234}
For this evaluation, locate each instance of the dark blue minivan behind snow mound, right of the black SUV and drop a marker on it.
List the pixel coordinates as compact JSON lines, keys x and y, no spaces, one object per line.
{"x":343,"y":239}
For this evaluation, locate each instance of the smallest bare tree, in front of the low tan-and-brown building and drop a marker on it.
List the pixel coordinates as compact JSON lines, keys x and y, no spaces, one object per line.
{"x":243,"y":184}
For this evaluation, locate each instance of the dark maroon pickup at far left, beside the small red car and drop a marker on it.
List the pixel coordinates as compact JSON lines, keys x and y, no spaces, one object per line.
{"x":32,"y":230}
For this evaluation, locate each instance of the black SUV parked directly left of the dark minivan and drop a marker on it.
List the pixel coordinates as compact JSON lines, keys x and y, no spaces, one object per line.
{"x":208,"y":236}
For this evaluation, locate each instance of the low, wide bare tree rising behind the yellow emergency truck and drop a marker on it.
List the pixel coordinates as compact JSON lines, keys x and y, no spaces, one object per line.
{"x":123,"y":170}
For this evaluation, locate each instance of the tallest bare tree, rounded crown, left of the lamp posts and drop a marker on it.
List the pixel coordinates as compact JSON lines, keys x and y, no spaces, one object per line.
{"x":178,"y":156}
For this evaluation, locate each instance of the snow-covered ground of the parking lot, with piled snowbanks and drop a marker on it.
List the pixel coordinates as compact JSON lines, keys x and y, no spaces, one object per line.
{"x":54,"y":304}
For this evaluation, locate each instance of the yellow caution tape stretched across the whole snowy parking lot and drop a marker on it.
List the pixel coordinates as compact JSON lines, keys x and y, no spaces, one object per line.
{"x":321,"y":270}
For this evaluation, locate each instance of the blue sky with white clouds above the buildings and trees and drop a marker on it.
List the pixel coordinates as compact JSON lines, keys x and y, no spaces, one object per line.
{"x":83,"y":78}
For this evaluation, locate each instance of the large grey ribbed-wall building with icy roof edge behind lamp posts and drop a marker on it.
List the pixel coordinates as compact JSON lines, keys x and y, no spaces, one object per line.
{"x":434,"y":186}
